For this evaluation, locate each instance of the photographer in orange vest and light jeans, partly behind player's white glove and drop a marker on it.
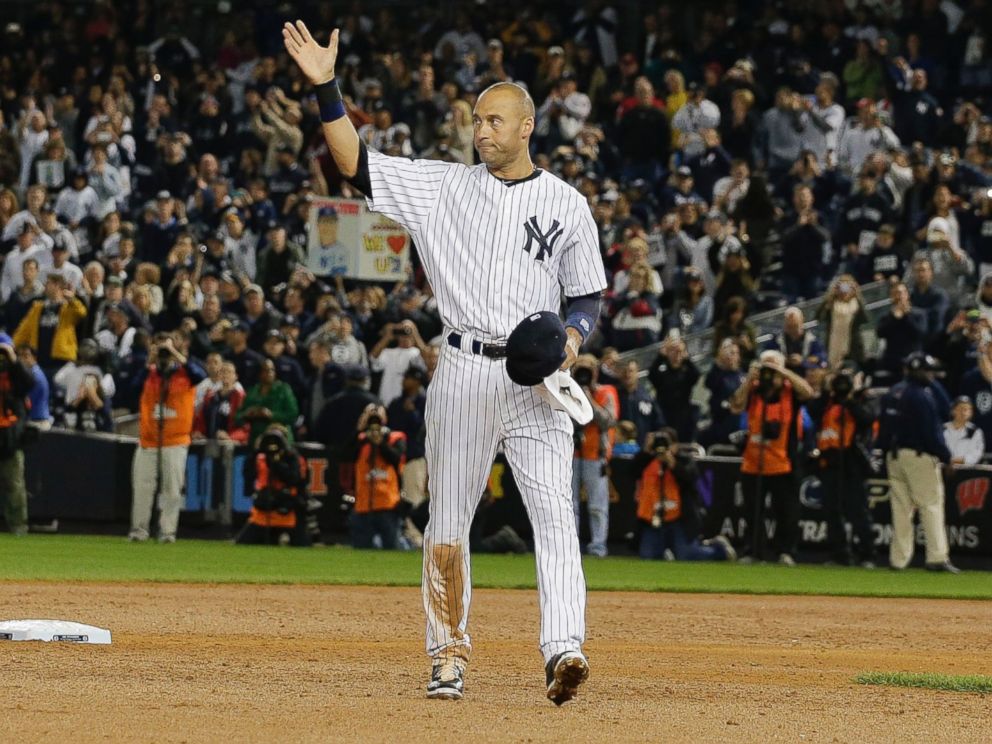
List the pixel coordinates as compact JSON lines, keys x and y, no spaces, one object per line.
{"x":592,"y":451}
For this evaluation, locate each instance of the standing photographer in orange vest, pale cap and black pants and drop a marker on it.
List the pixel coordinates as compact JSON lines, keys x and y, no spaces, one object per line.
{"x":772,"y":396}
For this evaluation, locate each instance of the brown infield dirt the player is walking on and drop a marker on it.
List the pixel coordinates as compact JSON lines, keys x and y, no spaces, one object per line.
{"x":317,"y":663}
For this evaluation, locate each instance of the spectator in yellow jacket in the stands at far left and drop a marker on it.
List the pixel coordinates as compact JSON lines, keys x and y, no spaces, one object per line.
{"x":50,"y":325}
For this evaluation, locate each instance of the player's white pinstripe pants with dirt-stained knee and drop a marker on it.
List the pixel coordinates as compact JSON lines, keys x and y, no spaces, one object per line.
{"x":472,"y":408}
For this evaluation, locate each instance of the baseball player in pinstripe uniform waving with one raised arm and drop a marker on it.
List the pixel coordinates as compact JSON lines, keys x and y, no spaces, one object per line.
{"x":500,"y":242}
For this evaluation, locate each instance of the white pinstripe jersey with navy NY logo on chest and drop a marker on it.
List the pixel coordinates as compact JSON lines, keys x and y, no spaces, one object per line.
{"x":494,"y":252}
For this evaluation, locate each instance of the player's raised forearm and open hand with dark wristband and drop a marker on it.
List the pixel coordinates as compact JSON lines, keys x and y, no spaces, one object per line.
{"x":317,"y":63}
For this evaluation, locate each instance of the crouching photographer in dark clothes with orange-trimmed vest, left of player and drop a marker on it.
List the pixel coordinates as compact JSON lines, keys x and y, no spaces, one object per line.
{"x":280,"y":494}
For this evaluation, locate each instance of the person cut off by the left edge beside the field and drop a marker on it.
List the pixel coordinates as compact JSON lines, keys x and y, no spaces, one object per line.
{"x":15,"y":385}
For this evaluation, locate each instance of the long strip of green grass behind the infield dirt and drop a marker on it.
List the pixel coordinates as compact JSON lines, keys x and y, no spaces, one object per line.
{"x":88,"y":558}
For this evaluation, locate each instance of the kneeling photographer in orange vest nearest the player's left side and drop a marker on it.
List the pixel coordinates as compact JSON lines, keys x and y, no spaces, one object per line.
{"x":378,"y":467}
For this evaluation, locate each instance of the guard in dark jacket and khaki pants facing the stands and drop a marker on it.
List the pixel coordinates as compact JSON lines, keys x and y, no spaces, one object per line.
{"x":912,"y":437}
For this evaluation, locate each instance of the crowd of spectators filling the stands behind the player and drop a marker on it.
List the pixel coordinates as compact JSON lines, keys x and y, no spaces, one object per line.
{"x":157,"y":166}
